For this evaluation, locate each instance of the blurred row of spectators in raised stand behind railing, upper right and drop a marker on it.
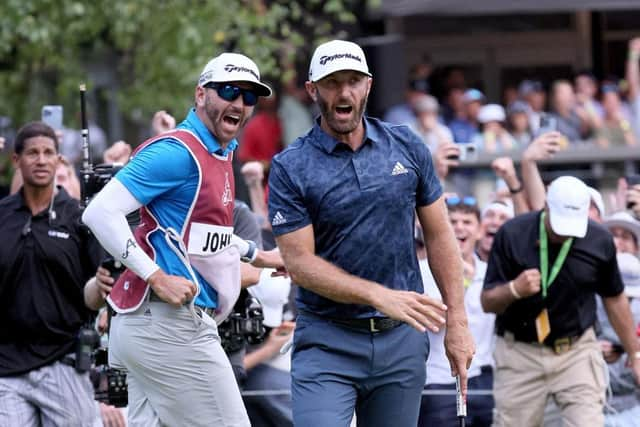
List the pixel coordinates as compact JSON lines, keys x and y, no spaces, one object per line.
{"x":603,"y":111}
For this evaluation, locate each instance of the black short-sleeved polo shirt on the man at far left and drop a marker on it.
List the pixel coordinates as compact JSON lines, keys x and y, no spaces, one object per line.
{"x":45,"y":261}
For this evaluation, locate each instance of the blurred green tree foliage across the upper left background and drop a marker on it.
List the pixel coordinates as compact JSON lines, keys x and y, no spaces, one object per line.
{"x":151,"y":50}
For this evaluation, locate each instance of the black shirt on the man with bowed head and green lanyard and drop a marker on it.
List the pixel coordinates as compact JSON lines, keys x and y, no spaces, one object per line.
{"x":590,"y":268}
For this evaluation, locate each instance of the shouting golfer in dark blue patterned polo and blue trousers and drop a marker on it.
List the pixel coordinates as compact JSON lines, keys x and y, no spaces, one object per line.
{"x":342,"y":204}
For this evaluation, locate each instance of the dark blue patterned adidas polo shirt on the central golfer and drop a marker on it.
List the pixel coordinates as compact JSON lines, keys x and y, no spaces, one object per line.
{"x":361,"y":205}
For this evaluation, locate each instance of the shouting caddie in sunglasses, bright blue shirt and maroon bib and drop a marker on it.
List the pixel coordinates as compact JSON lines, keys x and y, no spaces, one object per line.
{"x":183,"y":260}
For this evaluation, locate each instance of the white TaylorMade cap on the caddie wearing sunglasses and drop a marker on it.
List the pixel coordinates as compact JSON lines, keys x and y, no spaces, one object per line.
{"x":233,"y":67}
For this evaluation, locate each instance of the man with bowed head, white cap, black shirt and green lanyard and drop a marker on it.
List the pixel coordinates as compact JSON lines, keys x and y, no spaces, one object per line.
{"x":544,"y":270}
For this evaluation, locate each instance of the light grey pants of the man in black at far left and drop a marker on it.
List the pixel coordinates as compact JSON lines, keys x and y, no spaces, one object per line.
{"x":54,"y":395}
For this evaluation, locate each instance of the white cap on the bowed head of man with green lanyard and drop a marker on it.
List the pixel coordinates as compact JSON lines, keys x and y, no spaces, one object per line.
{"x":568,"y":200}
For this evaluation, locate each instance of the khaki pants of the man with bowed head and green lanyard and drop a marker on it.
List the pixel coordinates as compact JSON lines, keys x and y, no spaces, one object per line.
{"x":528,"y":374}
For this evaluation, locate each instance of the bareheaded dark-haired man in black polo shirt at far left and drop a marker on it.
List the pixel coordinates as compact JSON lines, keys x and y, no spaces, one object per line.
{"x":45,"y":259}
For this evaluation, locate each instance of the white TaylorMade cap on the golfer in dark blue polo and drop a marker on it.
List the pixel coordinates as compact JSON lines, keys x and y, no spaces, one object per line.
{"x":337,"y":55}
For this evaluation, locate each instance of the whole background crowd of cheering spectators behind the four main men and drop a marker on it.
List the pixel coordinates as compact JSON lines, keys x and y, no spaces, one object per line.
{"x":540,"y":119}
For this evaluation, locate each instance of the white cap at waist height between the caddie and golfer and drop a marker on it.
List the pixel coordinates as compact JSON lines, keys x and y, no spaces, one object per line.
{"x":273,"y":294}
